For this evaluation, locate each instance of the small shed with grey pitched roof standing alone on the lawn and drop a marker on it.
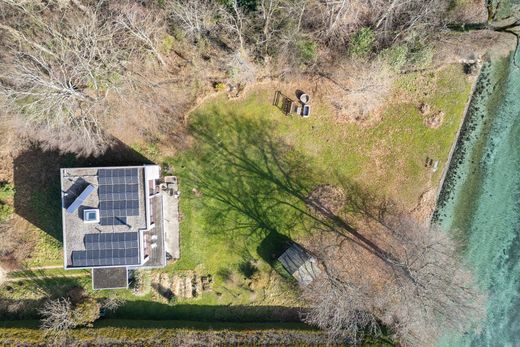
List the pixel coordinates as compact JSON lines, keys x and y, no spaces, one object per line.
{"x":300,"y":264}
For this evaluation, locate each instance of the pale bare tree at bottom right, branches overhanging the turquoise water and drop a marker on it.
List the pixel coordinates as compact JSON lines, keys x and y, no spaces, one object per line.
{"x":440,"y":295}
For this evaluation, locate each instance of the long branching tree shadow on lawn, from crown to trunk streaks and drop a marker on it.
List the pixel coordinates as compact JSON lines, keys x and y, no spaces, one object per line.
{"x":255,"y":184}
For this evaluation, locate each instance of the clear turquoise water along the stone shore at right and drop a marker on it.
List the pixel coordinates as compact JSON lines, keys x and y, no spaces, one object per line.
{"x":482,"y":203}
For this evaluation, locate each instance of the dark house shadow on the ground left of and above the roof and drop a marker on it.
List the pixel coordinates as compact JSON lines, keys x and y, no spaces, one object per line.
{"x":37,"y":181}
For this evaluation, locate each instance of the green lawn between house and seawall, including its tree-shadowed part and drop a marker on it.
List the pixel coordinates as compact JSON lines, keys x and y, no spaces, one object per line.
{"x":238,"y":144}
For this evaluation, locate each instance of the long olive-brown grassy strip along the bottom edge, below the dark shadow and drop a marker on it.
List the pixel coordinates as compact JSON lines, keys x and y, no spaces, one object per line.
{"x":137,"y":332}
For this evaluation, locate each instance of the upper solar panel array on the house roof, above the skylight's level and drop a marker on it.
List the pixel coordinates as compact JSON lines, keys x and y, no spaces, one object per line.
{"x":118,"y":193}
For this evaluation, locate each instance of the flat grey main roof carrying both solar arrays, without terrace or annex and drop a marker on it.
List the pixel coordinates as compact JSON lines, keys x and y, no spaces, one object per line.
{"x":118,"y":194}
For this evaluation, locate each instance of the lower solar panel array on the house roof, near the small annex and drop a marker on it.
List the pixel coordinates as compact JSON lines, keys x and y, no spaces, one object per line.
{"x":108,"y":249}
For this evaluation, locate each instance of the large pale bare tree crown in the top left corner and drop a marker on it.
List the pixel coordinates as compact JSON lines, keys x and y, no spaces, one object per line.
{"x":58,"y":81}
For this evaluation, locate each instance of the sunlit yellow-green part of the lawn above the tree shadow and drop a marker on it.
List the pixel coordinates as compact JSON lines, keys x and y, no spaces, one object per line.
{"x":387,"y":156}
